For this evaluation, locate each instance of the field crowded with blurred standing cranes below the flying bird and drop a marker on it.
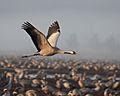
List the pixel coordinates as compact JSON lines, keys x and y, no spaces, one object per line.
{"x":58,"y":77}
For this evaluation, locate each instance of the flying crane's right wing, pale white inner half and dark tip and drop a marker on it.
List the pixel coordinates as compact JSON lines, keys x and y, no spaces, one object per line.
{"x":53,"y":34}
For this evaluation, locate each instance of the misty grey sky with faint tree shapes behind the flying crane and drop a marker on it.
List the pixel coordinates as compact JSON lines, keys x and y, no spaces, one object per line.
{"x":91,"y":27}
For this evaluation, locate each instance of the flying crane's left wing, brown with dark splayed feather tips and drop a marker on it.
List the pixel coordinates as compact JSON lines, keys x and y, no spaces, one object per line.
{"x":37,"y":37}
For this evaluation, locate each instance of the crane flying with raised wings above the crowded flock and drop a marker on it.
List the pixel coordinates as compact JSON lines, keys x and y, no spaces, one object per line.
{"x":46,"y":46}
